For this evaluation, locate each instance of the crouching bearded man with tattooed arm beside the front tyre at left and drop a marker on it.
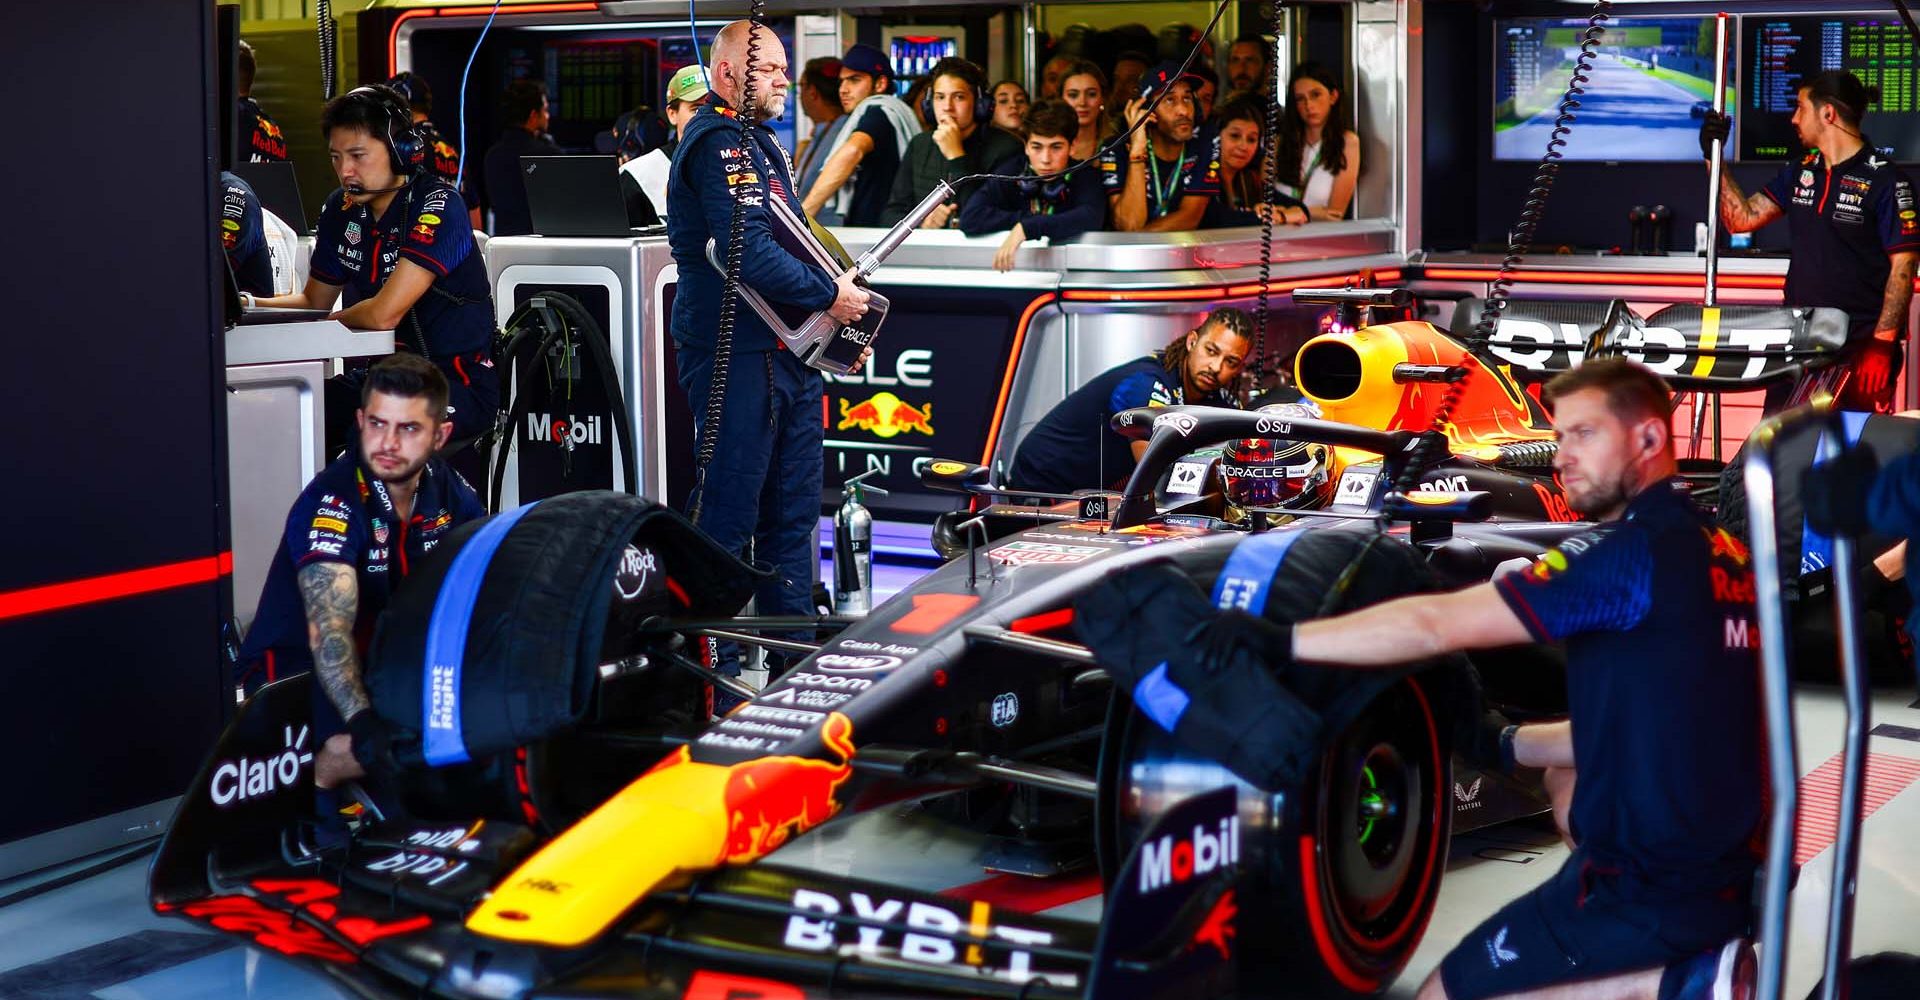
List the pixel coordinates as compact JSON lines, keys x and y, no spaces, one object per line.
{"x":350,"y":540}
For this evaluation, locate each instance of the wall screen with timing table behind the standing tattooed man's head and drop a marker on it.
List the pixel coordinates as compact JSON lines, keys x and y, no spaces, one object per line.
{"x":1779,"y":51}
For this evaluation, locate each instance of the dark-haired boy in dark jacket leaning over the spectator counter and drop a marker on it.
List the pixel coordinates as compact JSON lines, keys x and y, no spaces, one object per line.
{"x":1032,"y":210}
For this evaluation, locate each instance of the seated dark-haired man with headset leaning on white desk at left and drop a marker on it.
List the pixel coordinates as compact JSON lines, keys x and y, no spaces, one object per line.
{"x":396,"y":239}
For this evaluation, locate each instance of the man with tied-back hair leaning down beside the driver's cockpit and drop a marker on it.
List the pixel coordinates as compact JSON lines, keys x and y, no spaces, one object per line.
{"x":1076,"y":446}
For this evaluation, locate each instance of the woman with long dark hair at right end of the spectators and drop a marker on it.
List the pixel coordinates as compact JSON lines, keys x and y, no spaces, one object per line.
{"x":1320,"y":156}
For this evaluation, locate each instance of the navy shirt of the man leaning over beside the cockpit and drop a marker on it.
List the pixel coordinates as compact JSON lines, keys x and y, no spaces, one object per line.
{"x":1076,"y":446}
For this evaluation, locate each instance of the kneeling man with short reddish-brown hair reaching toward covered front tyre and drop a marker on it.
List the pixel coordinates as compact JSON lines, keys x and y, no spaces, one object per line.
{"x":1656,"y":611}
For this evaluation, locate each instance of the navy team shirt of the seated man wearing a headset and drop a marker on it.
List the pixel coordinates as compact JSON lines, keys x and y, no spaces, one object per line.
{"x":425,"y":224}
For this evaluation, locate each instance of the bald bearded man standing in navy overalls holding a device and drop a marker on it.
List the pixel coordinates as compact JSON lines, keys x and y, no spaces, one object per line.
{"x":763,"y":487}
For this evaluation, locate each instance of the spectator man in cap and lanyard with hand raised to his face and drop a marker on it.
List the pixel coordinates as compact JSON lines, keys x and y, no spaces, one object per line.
{"x":1170,"y":174}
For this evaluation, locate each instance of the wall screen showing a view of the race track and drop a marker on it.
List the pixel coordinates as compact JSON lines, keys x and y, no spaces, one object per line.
{"x":1652,"y":83}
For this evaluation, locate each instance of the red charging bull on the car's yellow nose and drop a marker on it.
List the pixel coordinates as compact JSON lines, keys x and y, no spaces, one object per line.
{"x":773,"y":799}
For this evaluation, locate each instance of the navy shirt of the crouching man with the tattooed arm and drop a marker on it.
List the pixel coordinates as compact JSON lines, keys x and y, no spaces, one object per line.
{"x":347,"y":517}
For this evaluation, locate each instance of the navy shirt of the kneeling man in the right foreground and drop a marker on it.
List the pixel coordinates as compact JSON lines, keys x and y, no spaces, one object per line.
{"x":1664,"y":690}
